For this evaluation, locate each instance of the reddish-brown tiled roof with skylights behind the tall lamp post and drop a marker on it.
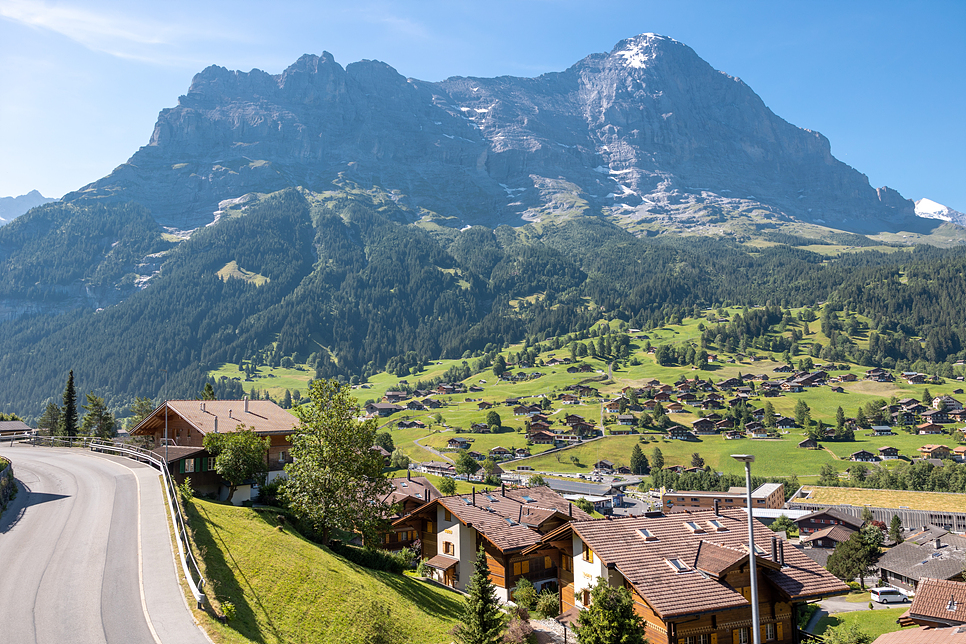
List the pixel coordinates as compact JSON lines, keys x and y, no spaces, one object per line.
{"x":643,"y":561}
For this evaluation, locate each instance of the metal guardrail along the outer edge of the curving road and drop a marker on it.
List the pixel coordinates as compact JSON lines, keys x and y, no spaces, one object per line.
{"x":189,"y":564}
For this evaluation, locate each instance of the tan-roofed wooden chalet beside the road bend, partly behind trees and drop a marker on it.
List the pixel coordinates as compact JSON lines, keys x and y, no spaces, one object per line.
{"x":187,"y":423}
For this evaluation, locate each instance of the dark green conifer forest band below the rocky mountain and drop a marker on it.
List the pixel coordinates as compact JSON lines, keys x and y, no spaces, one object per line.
{"x":358,"y":286}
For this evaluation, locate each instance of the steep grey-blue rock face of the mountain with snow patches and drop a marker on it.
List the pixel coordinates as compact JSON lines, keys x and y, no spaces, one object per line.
{"x":647,"y":130}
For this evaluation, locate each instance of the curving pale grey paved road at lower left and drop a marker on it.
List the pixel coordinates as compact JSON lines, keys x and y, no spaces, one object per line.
{"x":73,"y":566}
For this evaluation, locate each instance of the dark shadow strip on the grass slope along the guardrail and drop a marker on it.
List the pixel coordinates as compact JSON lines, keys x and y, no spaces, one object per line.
{"x":223,"y":584}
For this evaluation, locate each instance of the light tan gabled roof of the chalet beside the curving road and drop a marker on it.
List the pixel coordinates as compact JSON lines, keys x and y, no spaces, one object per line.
{"x":263,"y":416}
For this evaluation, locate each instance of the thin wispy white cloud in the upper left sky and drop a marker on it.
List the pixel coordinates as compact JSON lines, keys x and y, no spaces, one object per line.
{"x":110,"y":32}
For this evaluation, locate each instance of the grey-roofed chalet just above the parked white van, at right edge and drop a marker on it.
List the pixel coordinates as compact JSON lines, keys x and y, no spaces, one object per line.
{"x":932,"y":553}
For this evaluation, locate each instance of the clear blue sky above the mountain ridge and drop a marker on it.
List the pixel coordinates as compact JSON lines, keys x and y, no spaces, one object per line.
{"x":81,"y":83}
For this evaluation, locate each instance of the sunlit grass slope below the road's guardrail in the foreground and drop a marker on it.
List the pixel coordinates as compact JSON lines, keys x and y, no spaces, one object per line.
{"x":287,"y":589}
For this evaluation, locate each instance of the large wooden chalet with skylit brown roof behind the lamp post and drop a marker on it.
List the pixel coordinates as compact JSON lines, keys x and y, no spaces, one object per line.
{"x":688,"y":574}
